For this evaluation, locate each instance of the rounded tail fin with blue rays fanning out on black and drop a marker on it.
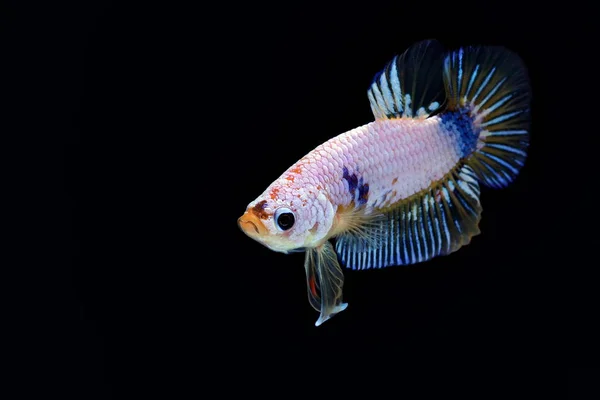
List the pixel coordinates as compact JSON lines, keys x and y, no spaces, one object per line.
{"x":490,"y":85}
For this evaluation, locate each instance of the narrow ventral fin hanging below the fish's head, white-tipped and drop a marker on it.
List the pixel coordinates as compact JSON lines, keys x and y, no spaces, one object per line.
{"x":325,"y":281}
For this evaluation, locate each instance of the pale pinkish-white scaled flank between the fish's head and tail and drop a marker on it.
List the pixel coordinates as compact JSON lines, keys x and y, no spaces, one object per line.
{"x":425,"y":149}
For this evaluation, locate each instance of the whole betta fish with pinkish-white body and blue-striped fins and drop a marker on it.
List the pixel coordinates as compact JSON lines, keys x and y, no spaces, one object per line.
{"x":405,"y":187}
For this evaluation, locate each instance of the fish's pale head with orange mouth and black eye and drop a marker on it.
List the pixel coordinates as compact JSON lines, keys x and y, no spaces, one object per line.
{"x":287,"y":218}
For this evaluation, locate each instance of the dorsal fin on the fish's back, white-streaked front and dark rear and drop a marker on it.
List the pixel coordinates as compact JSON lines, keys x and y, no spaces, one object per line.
{"x":411,"y":84}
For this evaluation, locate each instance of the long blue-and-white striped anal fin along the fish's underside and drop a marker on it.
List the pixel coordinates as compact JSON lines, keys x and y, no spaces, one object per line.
{"x":436,"y":221}
